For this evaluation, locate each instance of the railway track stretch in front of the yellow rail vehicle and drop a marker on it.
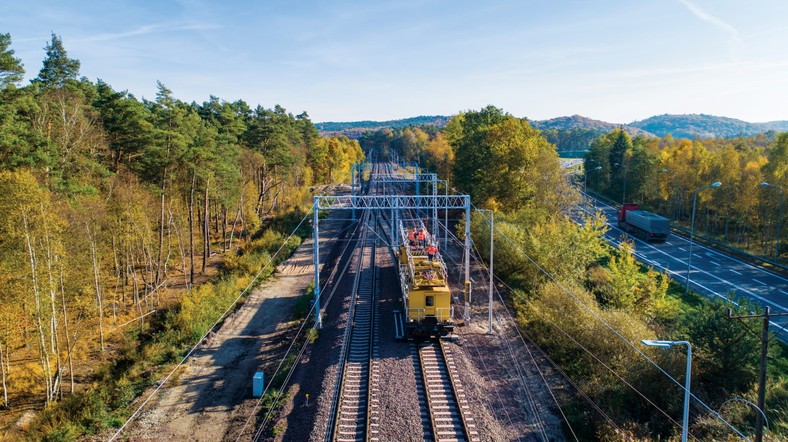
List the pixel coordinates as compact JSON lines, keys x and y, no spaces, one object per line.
{"x":449,"y":412}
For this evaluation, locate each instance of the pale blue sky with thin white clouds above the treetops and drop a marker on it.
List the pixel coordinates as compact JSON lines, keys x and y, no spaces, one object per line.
{"x":614,"y":60}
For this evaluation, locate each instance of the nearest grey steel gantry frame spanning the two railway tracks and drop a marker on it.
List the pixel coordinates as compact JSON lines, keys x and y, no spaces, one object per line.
{"x":394,"y":203}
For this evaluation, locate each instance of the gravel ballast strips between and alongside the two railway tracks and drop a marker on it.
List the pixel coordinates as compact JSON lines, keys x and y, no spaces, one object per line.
{"x":508,"y":398}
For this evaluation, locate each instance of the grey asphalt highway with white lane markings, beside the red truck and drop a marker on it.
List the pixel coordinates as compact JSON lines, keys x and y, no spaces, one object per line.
{"x":713,"y":273}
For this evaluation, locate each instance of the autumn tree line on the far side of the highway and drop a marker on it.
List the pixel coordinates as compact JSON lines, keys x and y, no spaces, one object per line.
{"x":663,"y":174}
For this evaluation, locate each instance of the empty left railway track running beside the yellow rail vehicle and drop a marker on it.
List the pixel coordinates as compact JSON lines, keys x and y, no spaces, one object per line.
{"x":355,"y":411}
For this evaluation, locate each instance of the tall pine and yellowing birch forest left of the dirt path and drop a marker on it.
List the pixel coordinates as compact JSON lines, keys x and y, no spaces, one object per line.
{"x":126,"y":227}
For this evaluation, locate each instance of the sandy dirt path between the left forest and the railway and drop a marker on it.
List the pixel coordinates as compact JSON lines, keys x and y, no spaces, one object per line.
{"x":213,"y":392}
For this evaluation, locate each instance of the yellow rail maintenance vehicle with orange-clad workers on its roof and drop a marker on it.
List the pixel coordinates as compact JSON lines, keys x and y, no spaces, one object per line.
{"x":426,"y":296}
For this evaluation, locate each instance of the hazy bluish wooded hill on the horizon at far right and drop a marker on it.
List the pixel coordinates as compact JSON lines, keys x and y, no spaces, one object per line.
{"x":705,"y":126}
